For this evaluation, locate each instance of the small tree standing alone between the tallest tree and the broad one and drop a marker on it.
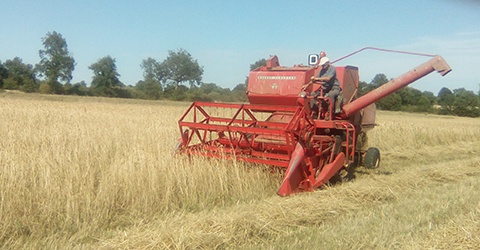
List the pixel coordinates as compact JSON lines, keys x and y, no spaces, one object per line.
{"x":105,"y":75}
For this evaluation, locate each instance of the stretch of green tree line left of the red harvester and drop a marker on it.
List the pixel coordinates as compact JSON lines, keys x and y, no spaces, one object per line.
{"x":178,"y":77}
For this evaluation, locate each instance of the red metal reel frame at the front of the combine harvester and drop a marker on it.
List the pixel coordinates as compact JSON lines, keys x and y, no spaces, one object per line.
{"x":243,"y":136}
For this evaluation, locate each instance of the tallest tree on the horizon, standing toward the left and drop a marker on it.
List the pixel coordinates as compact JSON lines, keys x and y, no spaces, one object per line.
{"x":56,"y":63}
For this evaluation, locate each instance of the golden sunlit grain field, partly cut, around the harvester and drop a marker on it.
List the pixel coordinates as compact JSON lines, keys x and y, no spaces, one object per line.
{"x":97,"y":173}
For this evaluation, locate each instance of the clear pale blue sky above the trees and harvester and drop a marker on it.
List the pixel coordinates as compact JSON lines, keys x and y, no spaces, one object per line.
{"x":227,"y":36}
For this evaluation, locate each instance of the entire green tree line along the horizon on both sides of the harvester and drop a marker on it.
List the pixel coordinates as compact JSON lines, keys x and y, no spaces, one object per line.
{"x":179,"y":78}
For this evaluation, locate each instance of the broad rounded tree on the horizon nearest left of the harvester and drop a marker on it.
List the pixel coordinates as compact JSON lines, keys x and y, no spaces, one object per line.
{"x":180,"y":67}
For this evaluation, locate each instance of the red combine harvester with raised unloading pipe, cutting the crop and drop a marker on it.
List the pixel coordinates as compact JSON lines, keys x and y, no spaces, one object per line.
{"x":279,"y":128}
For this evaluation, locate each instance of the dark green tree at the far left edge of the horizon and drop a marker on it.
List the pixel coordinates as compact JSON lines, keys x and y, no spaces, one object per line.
{"x":20,"y":75}
